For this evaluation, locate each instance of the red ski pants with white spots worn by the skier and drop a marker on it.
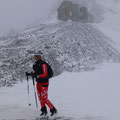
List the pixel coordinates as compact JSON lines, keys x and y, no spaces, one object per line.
{"x":43,"y":96}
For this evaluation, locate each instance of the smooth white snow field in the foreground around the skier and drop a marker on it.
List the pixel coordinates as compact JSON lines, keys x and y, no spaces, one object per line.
{"x":83,"y":96}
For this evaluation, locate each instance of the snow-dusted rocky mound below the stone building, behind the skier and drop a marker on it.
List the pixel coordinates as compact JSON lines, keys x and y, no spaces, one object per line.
{"x":67,"y":46}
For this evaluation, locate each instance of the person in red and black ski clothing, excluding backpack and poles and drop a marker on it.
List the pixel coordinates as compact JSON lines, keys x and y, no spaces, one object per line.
{"x":41,"y":74}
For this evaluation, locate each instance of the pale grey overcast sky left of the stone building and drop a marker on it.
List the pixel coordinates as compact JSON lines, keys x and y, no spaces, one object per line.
{"x":18,"y":14}
